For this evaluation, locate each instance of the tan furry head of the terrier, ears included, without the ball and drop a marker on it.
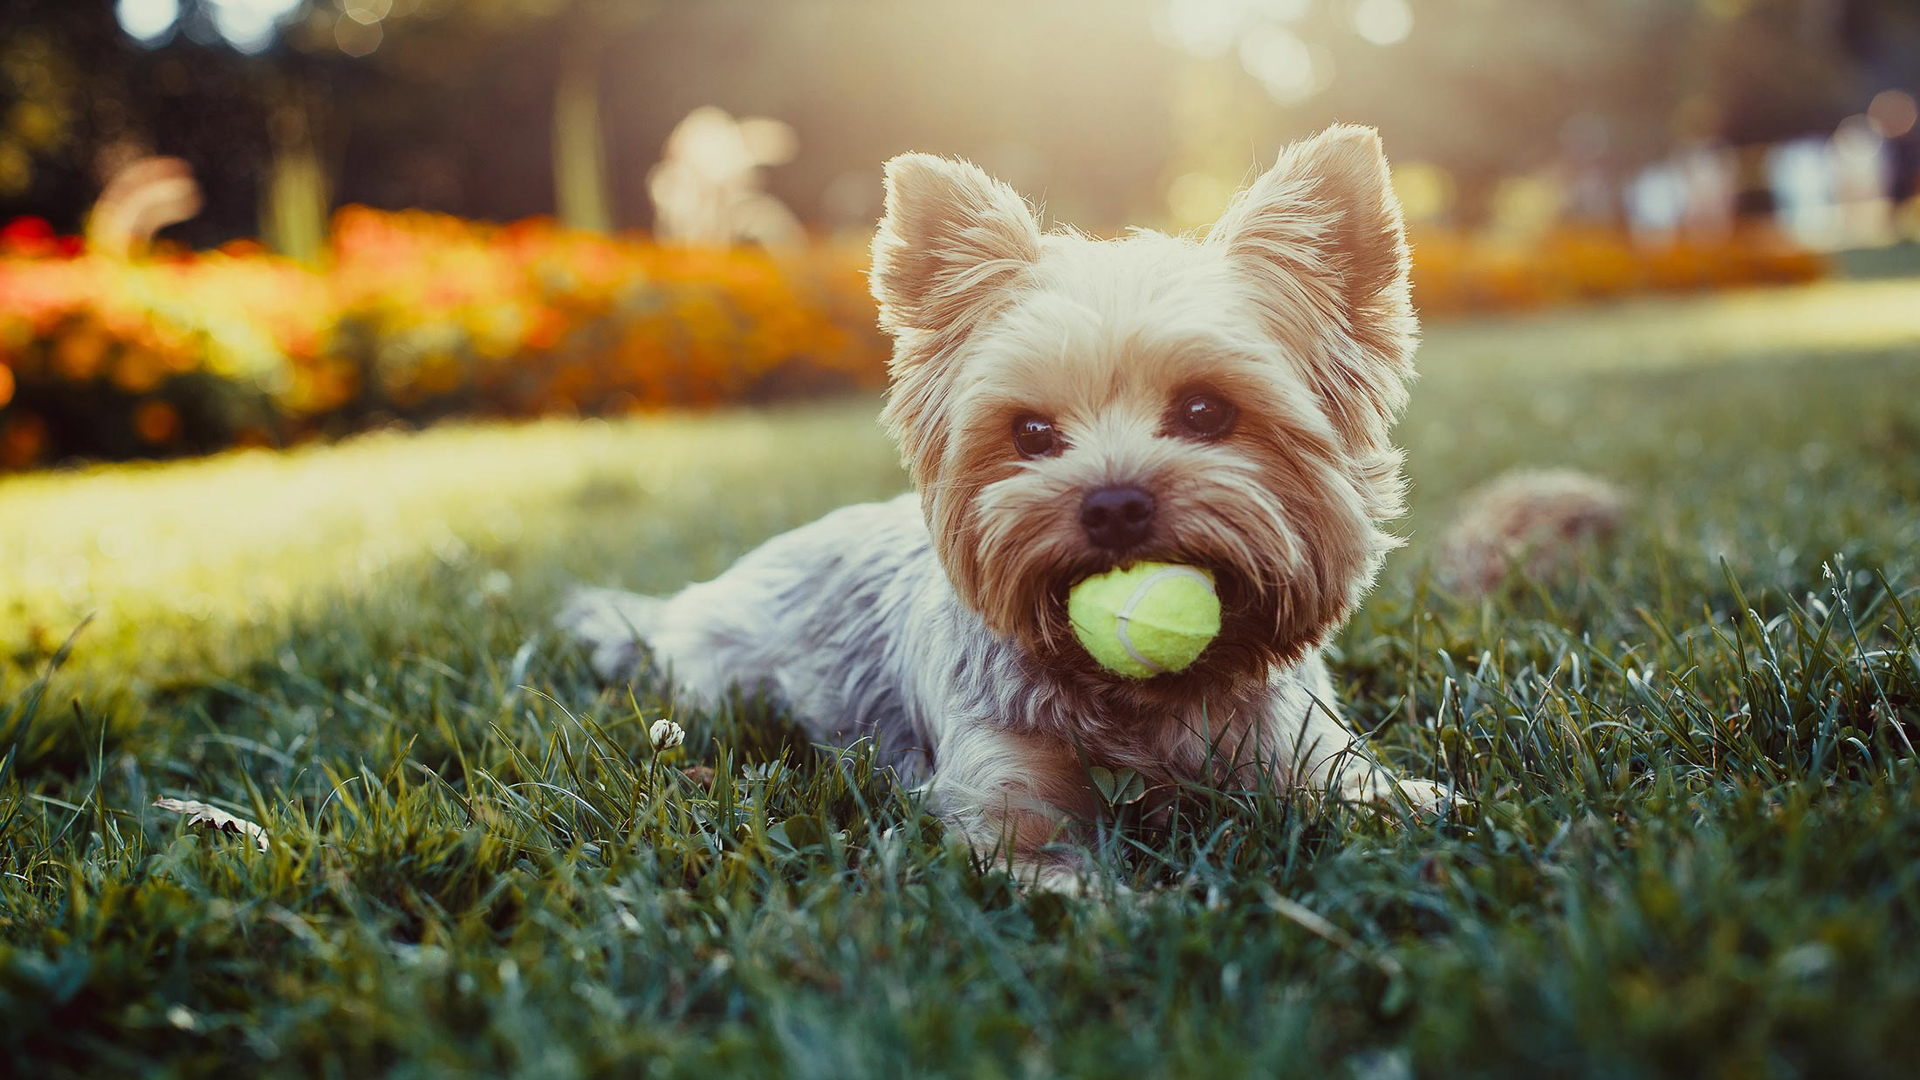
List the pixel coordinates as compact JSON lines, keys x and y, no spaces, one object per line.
{"x":1070,"y":405}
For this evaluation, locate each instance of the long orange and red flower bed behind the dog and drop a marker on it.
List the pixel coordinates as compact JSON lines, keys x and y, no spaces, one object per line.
{"x":420,"y":316}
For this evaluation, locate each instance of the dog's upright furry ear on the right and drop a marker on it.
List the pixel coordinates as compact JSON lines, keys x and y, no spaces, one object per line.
{"x":1324,"y":239}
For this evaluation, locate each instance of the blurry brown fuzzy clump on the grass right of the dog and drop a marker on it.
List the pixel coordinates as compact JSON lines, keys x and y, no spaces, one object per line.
{"x":1531,"y":520}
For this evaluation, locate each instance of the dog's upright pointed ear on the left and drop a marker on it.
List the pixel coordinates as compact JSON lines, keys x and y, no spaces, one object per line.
{"x":953,"y":239}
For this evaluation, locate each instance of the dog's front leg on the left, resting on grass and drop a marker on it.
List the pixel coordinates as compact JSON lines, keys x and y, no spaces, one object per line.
{"x":1017,"y":798}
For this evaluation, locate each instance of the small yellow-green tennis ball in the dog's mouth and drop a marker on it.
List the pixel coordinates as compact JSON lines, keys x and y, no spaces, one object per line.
{"x":1145,"y":620}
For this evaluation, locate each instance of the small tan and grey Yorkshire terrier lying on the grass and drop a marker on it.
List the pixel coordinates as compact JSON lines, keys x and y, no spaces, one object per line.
{"x":1067,"y":406}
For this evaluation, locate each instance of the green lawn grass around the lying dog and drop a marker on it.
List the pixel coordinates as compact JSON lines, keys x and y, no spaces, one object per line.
{"x":1694,"y":845}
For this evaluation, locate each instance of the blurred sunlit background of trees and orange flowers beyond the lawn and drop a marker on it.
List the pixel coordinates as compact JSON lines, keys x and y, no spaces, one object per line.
{"x":264,"y":222}
